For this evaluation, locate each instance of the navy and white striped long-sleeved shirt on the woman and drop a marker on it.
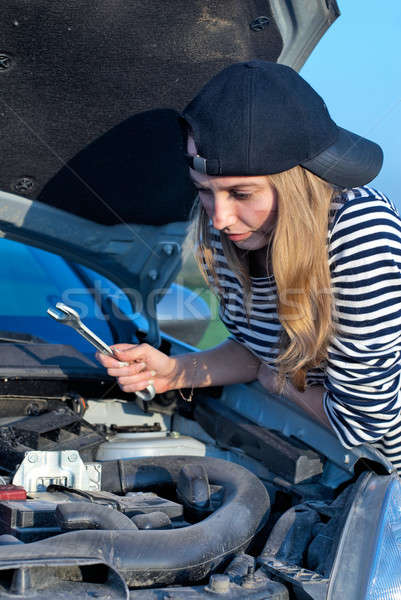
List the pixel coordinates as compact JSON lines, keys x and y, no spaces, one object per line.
{"x":362,"y":374}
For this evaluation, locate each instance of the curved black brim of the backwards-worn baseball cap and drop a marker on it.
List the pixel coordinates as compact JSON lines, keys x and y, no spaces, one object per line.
{"x":351,"y":161}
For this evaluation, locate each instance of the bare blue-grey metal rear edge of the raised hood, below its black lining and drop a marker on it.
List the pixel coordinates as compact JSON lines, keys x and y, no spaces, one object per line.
{"x":142,"y":260}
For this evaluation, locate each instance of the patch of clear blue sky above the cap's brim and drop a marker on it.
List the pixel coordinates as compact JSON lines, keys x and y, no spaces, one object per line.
{"x":356,"y":68}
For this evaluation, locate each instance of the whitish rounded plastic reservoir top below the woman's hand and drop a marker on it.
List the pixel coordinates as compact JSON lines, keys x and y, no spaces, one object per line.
{"x":136,"y":445}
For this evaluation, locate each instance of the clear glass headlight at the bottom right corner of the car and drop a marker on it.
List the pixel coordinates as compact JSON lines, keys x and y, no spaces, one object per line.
{"x":368,"y":561}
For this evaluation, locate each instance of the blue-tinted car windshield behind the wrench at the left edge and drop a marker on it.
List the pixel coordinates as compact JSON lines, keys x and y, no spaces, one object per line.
{"x":31,"y":280}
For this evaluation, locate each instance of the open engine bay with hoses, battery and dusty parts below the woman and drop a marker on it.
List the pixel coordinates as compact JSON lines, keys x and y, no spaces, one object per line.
{"x":98,"y":496}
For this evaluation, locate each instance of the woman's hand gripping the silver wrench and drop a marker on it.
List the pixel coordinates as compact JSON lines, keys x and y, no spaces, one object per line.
{"x":138,"y":366}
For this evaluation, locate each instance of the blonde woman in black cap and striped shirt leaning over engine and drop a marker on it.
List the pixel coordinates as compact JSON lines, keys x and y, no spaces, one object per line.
{"x":305,"y":260}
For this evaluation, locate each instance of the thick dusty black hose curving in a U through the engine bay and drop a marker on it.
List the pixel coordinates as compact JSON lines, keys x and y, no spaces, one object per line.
{"x":164,"y":557}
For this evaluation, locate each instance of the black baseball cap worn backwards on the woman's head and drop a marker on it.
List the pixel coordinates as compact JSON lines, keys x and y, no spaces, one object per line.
{"x":260,"y":118}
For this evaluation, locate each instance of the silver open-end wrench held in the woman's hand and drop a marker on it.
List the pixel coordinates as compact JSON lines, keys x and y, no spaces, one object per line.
{"x":68,"y":316}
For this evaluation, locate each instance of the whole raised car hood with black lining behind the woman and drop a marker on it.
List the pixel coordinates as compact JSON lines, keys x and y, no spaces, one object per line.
{"x":91,"y":149}
